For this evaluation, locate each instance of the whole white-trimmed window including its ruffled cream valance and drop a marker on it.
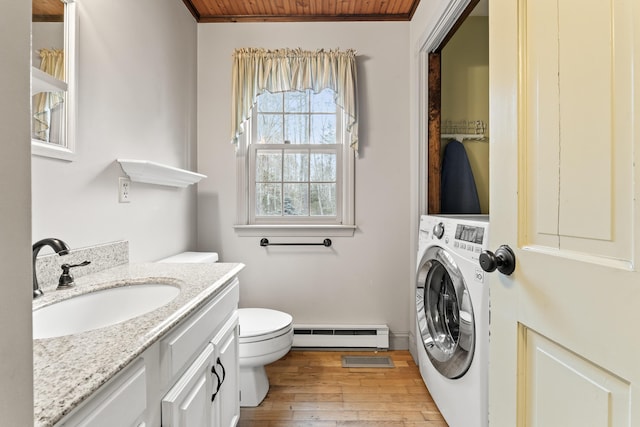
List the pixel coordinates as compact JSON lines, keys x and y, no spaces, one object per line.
{"x":296,"y":142}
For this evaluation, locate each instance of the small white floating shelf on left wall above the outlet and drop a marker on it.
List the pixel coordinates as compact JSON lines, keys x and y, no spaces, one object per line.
{"x":156,"y":173}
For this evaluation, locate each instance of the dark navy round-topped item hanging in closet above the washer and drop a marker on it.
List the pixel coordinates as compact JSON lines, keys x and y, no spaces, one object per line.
{"x":458,"y":188}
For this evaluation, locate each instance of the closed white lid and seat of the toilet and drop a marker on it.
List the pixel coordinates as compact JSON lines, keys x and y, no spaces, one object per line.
{"x":262,"y":323}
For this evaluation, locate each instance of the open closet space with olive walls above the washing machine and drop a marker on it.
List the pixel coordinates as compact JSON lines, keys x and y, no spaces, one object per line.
{"x":458,"y":109}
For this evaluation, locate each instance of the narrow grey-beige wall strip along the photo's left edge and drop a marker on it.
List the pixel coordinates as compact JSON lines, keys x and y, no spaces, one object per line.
{"x":16,"y":369}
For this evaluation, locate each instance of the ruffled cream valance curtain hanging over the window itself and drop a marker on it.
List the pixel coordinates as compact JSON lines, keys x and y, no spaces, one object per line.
{"x":258,"y":70}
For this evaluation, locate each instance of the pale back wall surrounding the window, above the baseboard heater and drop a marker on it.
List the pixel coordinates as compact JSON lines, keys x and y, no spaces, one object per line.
{"x":362,"y":279}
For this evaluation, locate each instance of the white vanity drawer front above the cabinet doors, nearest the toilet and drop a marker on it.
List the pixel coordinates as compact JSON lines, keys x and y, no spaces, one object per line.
{"x":182,"y":345}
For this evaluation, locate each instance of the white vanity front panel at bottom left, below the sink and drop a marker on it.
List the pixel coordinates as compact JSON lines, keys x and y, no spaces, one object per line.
{"x":122,"y":402}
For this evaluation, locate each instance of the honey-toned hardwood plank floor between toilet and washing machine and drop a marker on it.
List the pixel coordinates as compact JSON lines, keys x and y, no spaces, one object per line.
{"x":312,"y":389}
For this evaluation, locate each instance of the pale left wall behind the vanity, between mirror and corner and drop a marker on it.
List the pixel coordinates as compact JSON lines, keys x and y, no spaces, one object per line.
{"x":137,"y":99}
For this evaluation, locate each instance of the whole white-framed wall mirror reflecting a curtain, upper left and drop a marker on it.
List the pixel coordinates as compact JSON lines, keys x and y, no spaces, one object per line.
{"x":53,"y":78}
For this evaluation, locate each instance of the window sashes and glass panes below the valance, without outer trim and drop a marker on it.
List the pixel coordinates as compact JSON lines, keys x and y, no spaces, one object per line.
{"x":295,"y":158}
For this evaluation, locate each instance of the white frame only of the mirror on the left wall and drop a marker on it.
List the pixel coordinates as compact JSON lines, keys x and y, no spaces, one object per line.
{"x":68,"y":150}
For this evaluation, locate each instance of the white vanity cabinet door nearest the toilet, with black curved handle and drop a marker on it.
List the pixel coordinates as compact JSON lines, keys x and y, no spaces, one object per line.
{"x":227,"y":399}
